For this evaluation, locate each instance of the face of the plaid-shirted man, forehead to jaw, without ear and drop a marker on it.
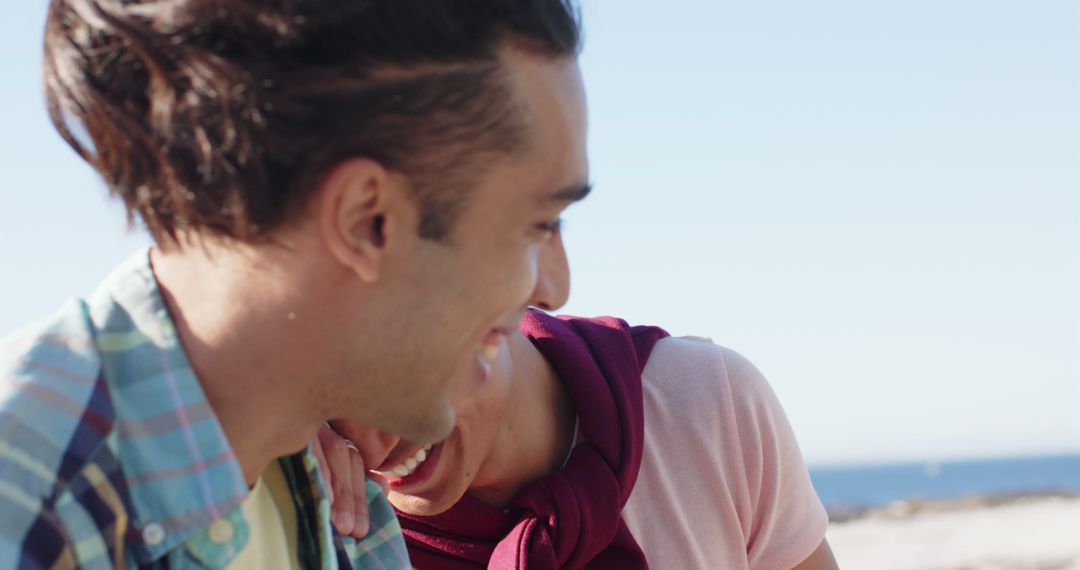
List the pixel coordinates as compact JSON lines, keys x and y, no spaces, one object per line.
{"x":439,"y":301}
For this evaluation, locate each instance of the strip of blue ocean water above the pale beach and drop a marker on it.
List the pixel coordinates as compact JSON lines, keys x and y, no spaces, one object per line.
{"x":863,"y":487}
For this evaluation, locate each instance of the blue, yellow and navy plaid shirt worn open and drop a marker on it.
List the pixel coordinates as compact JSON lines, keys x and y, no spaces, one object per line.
{"x":111,"y":456}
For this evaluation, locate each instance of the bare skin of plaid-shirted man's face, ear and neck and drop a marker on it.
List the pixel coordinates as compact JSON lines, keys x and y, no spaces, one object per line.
{"x":349,"y":315}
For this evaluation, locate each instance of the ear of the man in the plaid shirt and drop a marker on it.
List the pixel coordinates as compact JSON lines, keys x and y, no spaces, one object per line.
{"x":355,"y":200}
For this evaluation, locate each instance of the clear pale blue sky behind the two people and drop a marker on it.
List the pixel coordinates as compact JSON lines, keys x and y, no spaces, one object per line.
{"x":876,"y":202}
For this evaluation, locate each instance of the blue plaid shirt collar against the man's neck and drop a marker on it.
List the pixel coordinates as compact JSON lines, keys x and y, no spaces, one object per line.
{"x":181,"y":470}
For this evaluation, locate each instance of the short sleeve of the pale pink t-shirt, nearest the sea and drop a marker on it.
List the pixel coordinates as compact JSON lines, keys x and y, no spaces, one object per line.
{"x":784,"y":520}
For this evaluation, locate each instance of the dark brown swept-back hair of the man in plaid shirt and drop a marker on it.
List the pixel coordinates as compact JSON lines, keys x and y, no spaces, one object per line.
{"x":223,"y":116}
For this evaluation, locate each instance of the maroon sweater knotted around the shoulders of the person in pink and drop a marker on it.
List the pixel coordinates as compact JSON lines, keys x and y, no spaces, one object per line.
{"x":571,"y":519}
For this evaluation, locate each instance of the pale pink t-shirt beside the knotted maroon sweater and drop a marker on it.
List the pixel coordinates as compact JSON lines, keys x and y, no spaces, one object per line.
{"x":723,"y":483}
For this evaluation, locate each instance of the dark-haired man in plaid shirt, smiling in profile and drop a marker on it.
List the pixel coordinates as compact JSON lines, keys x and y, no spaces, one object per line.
{"x":353,"y":203}
